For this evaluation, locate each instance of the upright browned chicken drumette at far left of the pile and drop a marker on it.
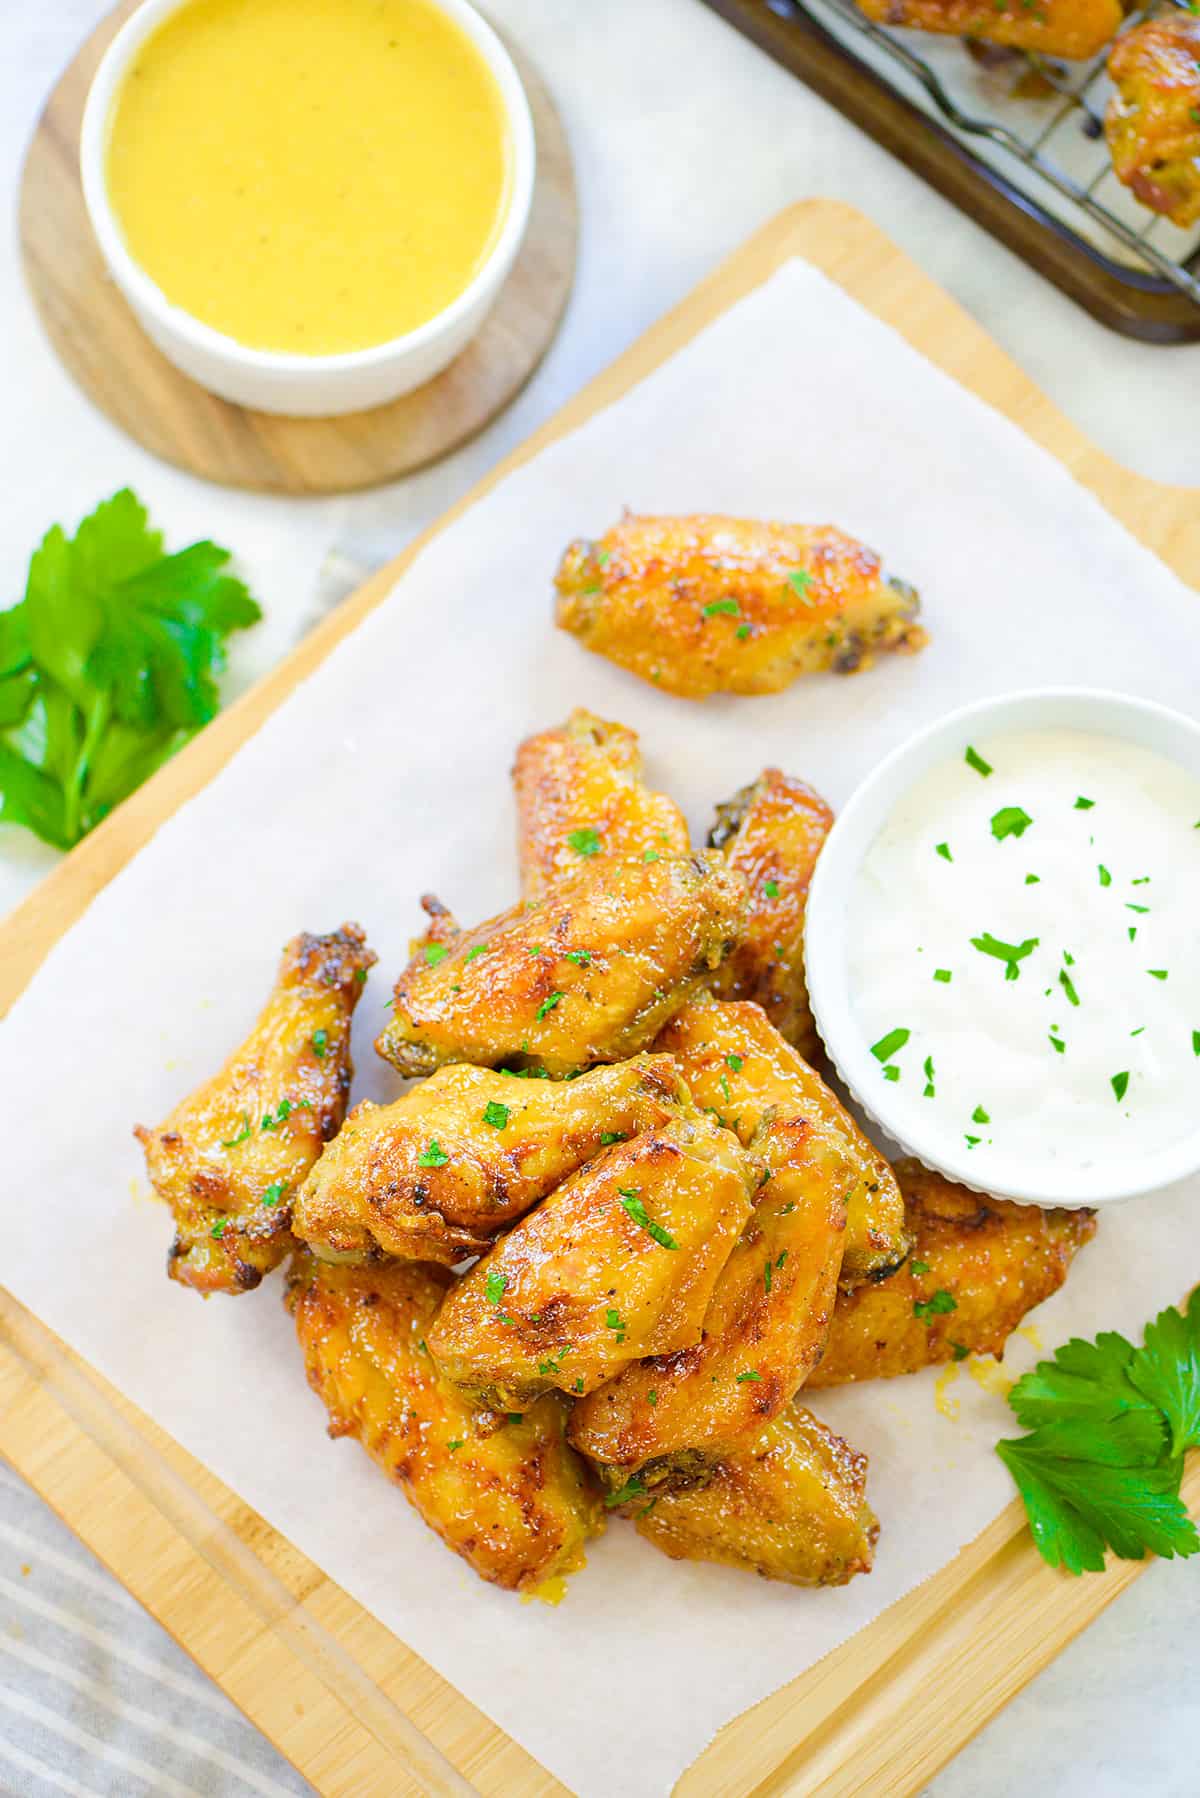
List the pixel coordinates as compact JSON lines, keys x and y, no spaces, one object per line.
{"x":233,"y":1155}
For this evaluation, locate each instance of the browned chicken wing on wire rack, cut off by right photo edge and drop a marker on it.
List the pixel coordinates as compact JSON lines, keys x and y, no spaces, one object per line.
{"x":1154,"y":118}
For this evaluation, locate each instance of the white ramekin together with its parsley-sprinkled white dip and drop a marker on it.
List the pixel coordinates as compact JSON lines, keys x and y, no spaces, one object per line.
{"x":1003,"y":947}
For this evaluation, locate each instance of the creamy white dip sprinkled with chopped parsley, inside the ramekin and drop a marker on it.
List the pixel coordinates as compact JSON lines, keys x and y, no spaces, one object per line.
{"x":1030,"y":916}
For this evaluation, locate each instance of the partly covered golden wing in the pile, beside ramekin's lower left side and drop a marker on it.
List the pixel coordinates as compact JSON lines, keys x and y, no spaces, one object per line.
{"x":737,"y":1064}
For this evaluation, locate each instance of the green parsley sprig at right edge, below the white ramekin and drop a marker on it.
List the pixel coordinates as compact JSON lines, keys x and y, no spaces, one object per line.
{"x":1104,"y":1459}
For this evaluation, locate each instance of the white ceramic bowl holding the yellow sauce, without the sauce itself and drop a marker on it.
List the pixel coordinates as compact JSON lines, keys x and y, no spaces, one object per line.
{"x":276,"y":382}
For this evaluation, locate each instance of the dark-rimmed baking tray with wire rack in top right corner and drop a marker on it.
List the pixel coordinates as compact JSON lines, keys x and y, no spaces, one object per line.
{"x":1032,"y":132}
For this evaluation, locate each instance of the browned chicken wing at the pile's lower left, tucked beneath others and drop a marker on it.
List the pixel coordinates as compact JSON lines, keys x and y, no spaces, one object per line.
{"x":506,"y":1495}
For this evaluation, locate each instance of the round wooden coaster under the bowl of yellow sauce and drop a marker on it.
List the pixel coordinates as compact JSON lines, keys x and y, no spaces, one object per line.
{"x":105,"y":350}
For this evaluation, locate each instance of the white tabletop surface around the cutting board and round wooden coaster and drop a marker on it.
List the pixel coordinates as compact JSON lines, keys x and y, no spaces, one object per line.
{"x":686,"y":139}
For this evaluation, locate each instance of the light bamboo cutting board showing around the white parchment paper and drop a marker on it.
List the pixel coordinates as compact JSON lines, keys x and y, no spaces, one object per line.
{"x":350,"y":1705}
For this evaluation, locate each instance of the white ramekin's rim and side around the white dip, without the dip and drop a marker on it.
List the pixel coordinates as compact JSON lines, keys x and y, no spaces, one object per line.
{"x":828,"y":923}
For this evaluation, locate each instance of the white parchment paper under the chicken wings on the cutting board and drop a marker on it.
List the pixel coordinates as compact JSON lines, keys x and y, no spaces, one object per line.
{"x":386,"y":776}
